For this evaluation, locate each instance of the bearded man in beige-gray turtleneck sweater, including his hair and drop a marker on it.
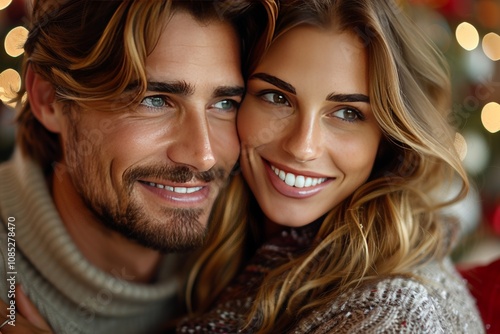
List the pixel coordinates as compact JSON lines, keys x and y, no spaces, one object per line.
{"x":125,"y":140}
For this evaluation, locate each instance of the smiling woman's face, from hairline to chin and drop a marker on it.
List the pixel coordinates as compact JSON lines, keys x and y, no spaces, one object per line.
{"x":308,"y":135}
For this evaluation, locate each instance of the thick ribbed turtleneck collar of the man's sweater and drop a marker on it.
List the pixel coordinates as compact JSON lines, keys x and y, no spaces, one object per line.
{"x":44,"y":241}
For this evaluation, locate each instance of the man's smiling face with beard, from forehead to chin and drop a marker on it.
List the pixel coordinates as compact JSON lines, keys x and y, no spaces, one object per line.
{"x":153,"y":173}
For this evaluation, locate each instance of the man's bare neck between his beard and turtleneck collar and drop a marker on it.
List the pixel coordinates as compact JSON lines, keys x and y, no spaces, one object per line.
{"x":104,"y":248}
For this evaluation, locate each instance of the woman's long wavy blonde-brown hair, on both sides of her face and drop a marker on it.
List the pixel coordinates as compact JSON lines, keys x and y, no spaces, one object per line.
{"x":391,"y":224}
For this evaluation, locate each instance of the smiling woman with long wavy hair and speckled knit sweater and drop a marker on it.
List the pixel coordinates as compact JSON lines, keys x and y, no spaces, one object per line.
{"x":344,"y":138}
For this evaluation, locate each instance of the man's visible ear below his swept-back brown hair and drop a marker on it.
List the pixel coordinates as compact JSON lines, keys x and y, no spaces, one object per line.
{"x":41,"y":95}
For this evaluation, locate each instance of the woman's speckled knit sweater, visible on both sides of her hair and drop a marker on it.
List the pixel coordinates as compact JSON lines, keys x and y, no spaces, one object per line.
{"x":393,"y":305}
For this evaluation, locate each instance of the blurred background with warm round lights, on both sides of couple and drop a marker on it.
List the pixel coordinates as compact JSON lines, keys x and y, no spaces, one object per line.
{"x":467,"y":32}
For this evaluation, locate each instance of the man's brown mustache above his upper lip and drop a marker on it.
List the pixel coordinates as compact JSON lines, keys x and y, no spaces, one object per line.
{"x":178,"y":174}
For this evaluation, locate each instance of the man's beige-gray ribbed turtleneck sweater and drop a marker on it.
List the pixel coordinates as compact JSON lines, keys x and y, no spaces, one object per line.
{"x":72,"y":294}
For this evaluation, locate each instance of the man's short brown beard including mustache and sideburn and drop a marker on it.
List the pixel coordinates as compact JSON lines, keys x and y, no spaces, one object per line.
{"x":178,"y":229}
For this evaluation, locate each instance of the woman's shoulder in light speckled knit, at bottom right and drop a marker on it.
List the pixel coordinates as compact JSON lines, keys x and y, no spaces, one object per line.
{"x":434,"y":300}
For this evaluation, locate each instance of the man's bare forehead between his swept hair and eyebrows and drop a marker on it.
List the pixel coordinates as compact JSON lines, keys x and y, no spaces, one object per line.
{"x":199,"y":55}
